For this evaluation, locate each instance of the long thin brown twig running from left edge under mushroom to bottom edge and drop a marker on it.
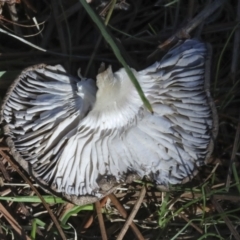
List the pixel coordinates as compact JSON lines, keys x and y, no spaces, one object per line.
{"x":37,"y":193}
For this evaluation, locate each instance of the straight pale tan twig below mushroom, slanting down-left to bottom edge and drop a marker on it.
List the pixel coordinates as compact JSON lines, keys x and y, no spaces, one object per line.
{"x":132,"y":214}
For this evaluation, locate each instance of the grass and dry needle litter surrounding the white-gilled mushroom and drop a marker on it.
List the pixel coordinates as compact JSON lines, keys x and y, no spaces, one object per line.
{"x":207,"y":207}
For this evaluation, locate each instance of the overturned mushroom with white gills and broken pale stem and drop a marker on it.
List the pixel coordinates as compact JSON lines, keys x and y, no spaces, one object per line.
{"x":80,"y":139}
